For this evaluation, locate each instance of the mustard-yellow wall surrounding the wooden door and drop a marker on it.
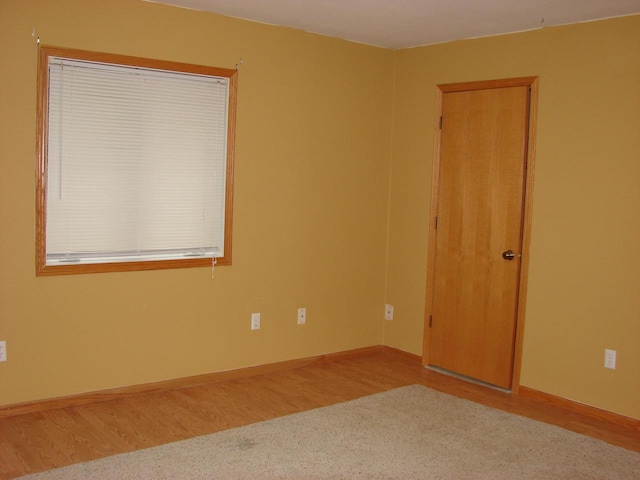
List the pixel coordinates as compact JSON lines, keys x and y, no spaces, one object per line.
{"x":584,"y":277}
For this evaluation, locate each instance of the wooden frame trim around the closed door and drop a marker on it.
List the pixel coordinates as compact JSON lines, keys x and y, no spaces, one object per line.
{"x":532,"y":83}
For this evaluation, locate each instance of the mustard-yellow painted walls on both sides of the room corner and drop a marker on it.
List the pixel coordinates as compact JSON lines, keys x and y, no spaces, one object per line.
{"x":328,"y":177}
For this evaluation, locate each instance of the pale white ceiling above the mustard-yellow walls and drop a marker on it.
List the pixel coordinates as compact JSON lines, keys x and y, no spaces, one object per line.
{"x":409,"y":23}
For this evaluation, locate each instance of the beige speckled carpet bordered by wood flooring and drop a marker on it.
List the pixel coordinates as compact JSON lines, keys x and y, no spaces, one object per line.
{"x":408,"y":433}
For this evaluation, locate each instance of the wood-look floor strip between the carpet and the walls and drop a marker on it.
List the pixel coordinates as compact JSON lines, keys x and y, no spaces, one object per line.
{"x":40,"y":441}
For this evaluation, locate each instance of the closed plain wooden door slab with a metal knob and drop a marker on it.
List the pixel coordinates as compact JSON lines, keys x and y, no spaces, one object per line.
{"x":480,"y":202}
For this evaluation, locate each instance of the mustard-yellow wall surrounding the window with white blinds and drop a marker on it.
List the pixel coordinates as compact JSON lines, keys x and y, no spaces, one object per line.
{"x":311,"y":190}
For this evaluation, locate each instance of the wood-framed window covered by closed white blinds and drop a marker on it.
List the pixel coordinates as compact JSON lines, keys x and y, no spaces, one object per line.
{"x":135,"y":162}
